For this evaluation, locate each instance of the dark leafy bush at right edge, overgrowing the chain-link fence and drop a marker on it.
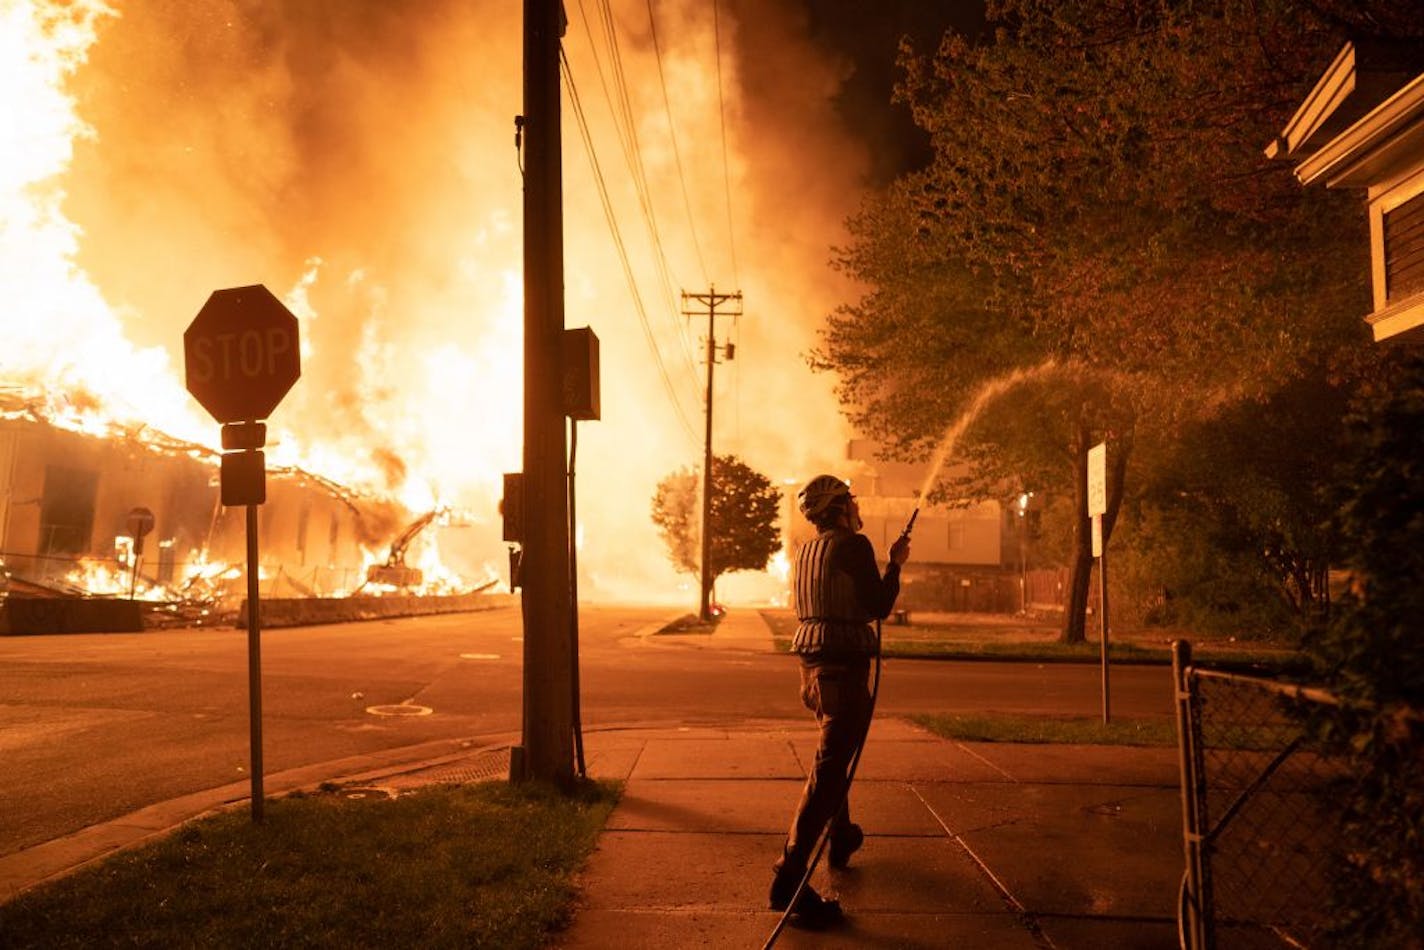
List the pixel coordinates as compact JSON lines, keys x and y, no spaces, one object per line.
{"x":1372,"y":656}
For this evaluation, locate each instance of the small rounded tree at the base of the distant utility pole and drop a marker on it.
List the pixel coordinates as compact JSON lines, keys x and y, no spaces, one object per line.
{"x":744,"y":519}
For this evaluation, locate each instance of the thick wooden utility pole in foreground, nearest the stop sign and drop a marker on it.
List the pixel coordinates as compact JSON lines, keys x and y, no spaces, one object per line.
{"x":548,"y":753}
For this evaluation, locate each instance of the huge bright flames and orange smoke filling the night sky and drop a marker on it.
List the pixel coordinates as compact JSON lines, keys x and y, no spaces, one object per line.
{"x":360,"y":160}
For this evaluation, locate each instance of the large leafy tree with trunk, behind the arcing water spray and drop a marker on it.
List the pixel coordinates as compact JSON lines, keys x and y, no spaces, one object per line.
{"x":1101,"y":216}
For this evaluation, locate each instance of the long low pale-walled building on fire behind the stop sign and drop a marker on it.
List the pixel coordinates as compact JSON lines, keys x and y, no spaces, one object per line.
{"x":69,"y":498}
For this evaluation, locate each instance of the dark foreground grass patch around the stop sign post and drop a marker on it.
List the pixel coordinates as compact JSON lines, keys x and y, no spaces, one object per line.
{"x":486,"y":865}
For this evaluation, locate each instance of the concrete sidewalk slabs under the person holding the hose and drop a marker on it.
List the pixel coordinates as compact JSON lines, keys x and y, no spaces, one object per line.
{"x":969,"y":845}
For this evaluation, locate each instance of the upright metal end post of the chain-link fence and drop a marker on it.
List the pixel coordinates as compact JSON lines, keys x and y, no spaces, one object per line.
{"x":1195,"y":911}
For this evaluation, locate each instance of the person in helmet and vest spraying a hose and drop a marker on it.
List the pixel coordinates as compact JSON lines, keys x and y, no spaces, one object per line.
{"x":838,"y":593}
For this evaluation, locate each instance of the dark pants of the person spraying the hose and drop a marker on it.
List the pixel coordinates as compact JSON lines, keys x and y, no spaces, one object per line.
{"x":839,"y":694}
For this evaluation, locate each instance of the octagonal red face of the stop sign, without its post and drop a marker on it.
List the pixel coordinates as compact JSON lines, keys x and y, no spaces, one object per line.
{"x":241,"y":354}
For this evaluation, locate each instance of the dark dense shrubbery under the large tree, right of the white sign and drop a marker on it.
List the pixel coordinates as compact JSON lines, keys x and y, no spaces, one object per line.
{"x":1234,"y":519}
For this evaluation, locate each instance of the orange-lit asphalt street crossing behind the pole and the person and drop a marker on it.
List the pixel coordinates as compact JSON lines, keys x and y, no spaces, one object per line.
{"x":95,"y":727}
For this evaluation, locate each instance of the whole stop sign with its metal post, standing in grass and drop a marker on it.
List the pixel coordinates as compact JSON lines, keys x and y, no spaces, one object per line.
{"x":241,"y":357}
